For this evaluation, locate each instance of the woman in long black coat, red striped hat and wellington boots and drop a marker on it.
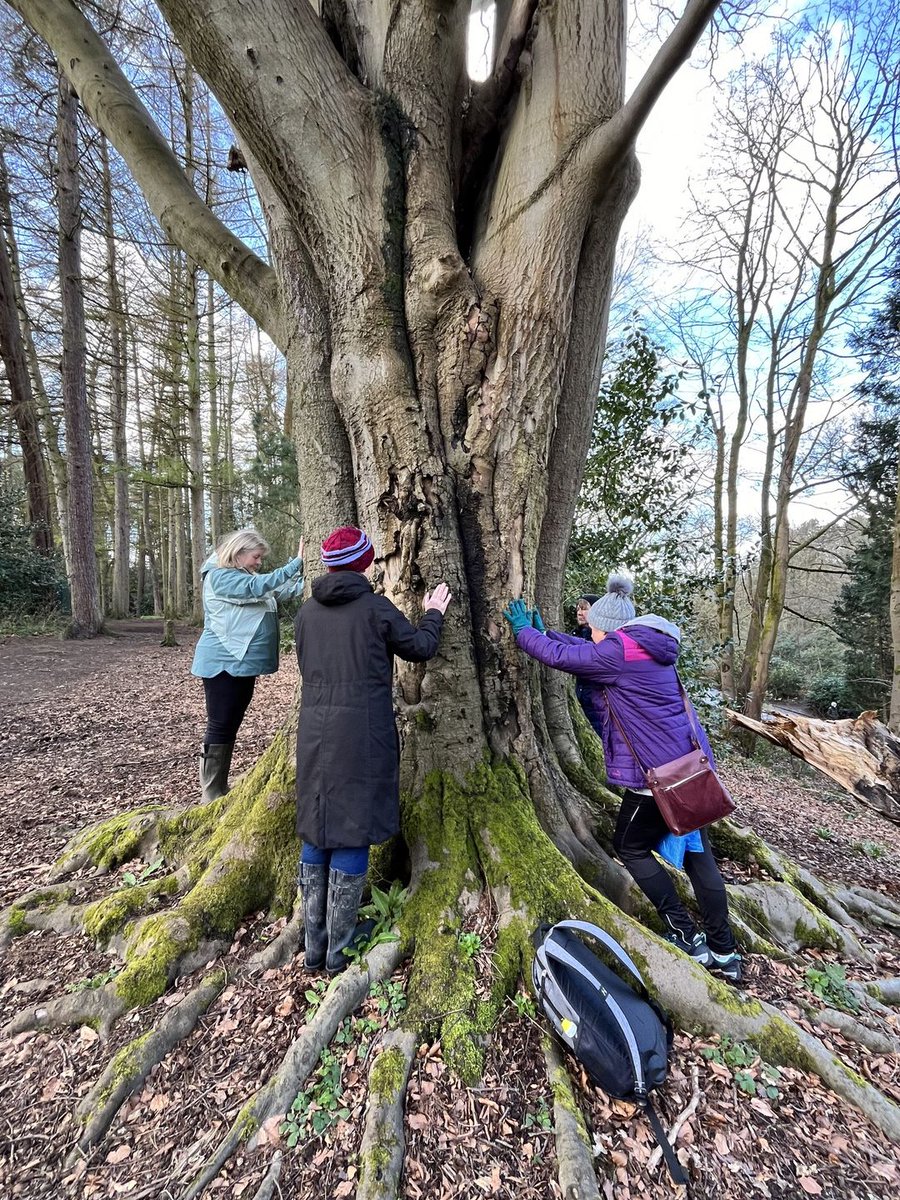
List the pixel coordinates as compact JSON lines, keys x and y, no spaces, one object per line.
{"x":347,"y":747}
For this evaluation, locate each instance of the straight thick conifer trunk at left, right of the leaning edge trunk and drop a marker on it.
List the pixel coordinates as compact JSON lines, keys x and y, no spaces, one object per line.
{"x":87,"y":611}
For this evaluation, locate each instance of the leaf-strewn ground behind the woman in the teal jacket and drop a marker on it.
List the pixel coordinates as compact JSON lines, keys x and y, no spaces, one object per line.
{"x":92,"y":728}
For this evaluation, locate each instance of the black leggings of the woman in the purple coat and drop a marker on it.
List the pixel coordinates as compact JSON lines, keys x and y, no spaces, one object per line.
{"x":639,"y":831}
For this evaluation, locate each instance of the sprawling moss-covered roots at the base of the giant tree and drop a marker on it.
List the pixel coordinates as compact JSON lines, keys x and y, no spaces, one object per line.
{"x":467,"y":841}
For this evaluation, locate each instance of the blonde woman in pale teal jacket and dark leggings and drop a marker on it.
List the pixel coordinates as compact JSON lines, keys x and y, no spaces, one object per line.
{"x":239,"y":641}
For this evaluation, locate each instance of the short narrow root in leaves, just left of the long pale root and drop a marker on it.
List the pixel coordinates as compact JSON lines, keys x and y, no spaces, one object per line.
{"x":129,"y":1069}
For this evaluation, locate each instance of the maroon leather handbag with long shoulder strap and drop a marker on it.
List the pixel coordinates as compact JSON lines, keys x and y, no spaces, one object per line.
{"x":688,"y":791}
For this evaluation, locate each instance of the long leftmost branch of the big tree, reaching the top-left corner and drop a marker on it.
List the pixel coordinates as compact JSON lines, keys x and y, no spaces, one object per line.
{"x":115,"y":107}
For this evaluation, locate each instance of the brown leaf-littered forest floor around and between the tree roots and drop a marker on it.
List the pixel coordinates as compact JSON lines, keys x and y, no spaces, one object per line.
{"x":91,"y":729}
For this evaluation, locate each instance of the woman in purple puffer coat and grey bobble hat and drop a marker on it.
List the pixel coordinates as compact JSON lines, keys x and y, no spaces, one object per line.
{"x":629,"y":664}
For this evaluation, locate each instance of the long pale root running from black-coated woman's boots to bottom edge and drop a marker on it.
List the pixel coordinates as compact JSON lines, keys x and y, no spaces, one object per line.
{"x":277,"y":1096}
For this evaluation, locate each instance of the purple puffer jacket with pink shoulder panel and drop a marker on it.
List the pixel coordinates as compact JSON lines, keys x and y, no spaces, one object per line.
{"x":637,"y":670}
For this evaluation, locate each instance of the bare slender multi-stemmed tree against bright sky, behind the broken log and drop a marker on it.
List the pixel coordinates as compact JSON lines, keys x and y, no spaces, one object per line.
{"x":797,"y":229}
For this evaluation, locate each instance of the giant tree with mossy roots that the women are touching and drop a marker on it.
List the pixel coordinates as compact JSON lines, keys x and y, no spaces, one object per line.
{"x":442,"y":265}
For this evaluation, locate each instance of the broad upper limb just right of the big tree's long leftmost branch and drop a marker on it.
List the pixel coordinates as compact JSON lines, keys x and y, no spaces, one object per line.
{"x":314,"y":131}
